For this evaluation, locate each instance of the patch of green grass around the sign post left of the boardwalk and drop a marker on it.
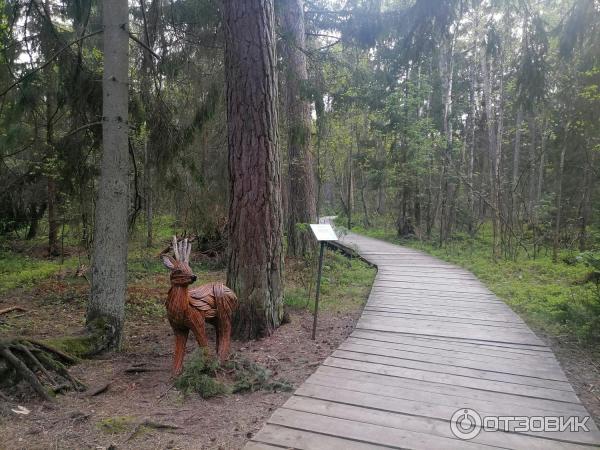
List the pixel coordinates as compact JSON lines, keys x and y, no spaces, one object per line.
{"x":345,"y":284}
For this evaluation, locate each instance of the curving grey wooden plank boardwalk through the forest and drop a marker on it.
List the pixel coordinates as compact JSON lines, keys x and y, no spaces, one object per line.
{"x":432,"y":340}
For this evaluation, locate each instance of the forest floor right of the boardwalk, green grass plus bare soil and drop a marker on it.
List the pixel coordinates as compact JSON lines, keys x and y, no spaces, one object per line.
{"x":552,"y":298}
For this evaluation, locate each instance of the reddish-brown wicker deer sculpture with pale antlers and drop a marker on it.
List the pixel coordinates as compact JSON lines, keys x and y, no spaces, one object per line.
{"x":189,"y":309}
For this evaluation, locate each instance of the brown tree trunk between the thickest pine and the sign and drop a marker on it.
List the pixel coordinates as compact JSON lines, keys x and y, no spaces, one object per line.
{"x":302,"y":206}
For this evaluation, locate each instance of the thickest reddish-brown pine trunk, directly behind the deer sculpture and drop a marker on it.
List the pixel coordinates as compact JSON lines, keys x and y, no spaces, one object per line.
{"x":255,"y":261}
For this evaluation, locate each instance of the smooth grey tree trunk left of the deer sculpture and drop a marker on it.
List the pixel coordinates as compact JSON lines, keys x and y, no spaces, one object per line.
{"x":106,"y":307}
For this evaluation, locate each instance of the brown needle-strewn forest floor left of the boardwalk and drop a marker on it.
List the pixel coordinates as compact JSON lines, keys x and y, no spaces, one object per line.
{"x":140,"y":393}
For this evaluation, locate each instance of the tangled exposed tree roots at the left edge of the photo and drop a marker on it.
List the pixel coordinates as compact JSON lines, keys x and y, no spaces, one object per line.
{"x":40,"y":365}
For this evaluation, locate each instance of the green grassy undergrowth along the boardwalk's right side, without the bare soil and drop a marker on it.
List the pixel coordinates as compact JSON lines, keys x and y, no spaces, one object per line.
{"x":552,"y":297}
